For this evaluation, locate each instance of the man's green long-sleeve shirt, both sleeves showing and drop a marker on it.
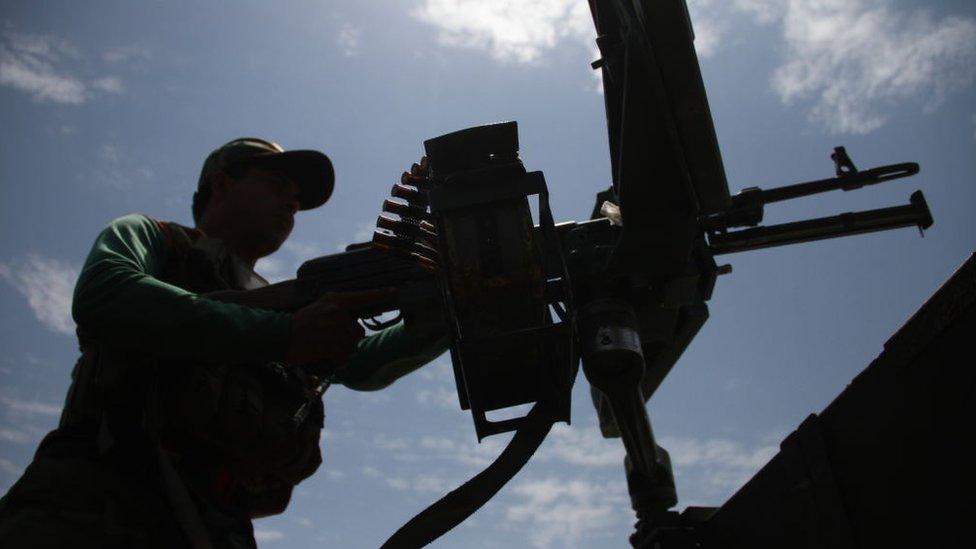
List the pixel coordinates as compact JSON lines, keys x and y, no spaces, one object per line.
{"x":120,"y":295}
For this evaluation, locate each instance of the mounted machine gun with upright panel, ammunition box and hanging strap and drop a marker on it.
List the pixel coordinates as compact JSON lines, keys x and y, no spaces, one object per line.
{"x":624,"y":293}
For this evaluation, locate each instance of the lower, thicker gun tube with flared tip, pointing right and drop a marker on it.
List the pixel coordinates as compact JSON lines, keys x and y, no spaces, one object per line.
{"x":916,"y":213}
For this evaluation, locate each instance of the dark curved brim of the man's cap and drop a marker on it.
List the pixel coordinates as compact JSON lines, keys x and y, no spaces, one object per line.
{"x":311,"y":170}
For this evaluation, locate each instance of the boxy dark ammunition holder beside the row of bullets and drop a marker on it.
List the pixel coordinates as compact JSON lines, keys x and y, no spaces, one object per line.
{"x":506,"y":349}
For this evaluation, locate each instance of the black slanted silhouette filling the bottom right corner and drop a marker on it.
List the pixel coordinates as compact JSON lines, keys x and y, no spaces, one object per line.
{"x":887,"y":464}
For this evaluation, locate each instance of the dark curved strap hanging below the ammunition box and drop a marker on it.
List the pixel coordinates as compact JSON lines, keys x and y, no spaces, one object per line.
{"x":459,"y":504}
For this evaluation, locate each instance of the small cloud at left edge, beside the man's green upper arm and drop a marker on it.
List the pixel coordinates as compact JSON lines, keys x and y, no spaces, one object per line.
{"x":47,"y":284}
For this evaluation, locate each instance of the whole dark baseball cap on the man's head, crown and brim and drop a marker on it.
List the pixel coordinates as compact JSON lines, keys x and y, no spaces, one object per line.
{"x":310,"y":170}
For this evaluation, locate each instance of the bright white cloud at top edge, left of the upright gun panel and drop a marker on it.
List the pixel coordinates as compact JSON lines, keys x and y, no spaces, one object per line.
{"x":510,"y":30}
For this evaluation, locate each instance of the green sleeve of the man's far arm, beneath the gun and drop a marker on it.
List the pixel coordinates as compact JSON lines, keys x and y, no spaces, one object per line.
{"x":383,"y":357}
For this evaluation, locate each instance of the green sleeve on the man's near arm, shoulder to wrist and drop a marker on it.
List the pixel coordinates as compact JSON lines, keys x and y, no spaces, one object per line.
{"x":120,"y":300}
